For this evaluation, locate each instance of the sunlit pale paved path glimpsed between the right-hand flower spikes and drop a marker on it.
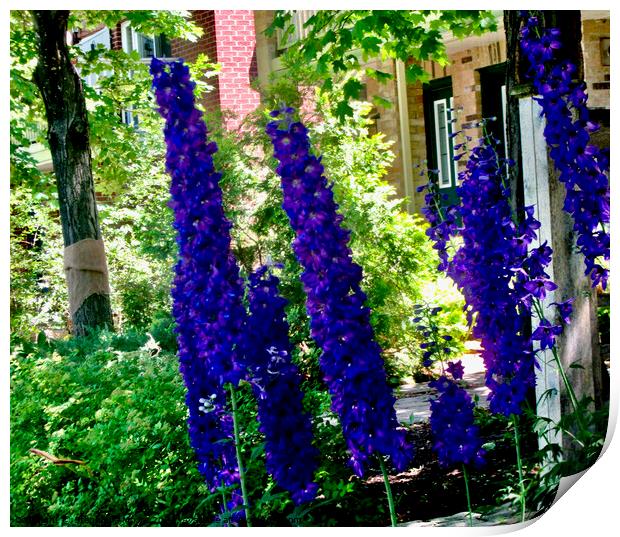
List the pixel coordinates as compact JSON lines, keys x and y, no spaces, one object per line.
{"x":413,"y":404}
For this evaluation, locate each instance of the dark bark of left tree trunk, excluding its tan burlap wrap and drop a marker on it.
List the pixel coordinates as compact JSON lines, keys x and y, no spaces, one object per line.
{"x":68,"y":138}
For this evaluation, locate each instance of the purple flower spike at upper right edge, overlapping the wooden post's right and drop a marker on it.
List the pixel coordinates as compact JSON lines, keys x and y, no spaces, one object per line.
{"x":583,"y":167}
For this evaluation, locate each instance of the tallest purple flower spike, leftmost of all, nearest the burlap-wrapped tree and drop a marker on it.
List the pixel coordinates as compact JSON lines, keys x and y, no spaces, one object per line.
{"x":207,"y":292}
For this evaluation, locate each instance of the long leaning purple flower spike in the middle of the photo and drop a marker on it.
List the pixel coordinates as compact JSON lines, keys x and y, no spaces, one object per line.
{"x":340,"y":322}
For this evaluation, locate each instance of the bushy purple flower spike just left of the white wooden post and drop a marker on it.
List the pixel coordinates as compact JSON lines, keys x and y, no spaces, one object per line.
{"x":498,"y":275}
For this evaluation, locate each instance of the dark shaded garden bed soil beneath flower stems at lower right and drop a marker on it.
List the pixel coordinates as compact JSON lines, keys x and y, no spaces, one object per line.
{"x":426,"y":492}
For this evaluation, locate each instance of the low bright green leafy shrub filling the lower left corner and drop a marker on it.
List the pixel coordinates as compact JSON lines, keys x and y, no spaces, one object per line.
{"x":122,"y":413}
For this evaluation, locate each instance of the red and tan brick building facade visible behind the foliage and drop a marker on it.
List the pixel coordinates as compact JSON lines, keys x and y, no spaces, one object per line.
{"x":422,"y":116}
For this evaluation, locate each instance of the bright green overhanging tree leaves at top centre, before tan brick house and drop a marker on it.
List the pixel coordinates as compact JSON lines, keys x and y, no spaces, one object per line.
{"x":340,"y":42}
